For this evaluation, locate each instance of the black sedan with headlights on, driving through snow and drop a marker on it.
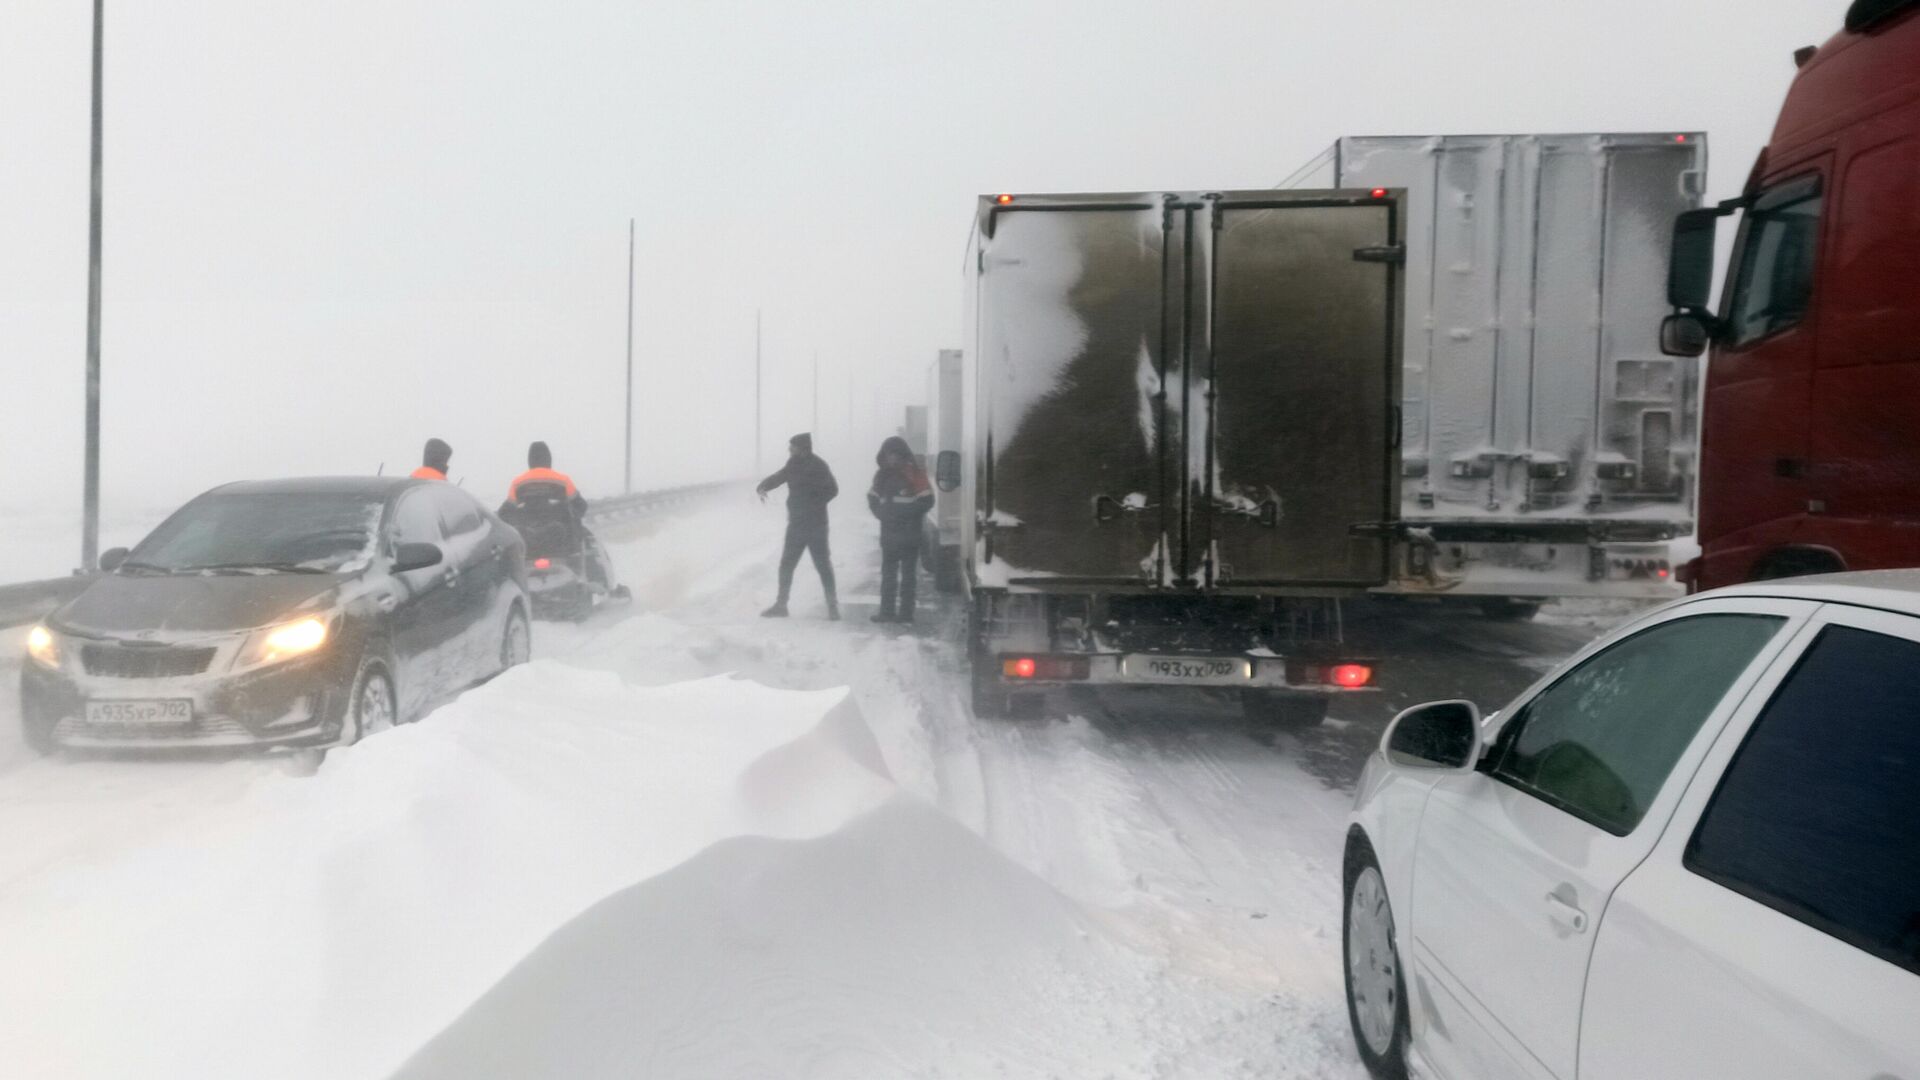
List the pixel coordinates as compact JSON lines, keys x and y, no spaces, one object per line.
{"x":300,"y":614}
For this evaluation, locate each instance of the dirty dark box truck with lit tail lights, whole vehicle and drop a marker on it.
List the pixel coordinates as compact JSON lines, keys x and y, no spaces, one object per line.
{"x":1184,"y":441}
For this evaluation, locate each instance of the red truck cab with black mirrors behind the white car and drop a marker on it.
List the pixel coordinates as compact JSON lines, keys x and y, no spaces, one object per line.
{"x":1812,"y":412}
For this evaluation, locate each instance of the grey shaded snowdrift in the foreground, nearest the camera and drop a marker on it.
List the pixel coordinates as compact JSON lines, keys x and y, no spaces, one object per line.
{"x":898,"y":946}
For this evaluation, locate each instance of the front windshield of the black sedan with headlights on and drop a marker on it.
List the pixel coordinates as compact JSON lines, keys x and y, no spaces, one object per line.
{"x":262,"y":533}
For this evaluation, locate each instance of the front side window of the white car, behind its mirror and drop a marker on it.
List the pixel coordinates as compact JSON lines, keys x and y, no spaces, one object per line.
{"x":1602,"y":739}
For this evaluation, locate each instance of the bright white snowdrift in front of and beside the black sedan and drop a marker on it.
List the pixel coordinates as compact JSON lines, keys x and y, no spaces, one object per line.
{"x":327,"y":927}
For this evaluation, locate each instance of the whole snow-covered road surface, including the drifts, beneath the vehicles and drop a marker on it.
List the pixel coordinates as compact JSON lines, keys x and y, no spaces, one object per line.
{"x":692,"y":843}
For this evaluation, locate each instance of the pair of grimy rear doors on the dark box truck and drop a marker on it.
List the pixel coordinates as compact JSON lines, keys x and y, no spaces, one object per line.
{"x":1189,"y":389}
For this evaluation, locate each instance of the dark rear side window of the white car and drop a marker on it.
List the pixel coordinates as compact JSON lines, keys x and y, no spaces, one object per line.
{"x":1819,"y":814}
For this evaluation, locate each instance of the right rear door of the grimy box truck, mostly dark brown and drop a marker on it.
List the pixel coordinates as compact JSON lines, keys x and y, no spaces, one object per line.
{"x":1301,"y":376}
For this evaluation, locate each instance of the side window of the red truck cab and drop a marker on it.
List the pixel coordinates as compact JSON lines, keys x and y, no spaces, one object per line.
{"x":1773,"y":280}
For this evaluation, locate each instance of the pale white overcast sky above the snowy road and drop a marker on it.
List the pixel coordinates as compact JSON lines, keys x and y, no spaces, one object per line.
{"x":335,"y":230}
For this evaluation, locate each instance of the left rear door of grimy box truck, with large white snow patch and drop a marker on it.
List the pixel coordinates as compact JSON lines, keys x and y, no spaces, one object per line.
{"x":1072,"y":355}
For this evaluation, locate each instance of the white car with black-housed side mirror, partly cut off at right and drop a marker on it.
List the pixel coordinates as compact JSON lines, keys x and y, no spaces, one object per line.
{"x":1692,"y":852}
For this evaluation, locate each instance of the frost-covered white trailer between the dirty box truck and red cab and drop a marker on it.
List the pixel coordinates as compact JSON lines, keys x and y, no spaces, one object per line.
{"x":1547,"y":443}
